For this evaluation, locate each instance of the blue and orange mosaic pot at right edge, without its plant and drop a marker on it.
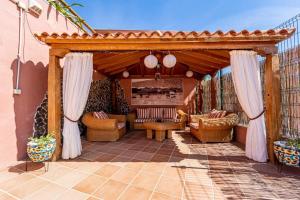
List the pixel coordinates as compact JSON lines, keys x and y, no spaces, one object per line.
{"x":286,"y":154}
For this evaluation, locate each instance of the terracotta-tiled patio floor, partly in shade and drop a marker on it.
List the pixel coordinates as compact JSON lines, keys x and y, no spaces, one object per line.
{"x":136,"y":168}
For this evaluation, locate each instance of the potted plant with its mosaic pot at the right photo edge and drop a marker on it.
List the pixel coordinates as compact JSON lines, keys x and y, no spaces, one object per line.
{"x":288,"y":151}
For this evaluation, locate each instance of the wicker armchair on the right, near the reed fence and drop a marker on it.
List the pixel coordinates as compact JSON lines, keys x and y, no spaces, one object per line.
{"x":213,"y":129}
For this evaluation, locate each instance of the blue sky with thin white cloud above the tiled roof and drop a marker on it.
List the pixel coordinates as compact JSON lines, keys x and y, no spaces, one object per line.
{"x":186,"y":14}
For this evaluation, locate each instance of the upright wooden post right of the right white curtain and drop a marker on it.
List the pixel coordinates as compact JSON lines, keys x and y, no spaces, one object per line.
{"x":272,"y":101}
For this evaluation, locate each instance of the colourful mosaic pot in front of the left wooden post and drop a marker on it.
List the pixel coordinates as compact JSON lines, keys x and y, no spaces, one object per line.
{"x":41,"y":152}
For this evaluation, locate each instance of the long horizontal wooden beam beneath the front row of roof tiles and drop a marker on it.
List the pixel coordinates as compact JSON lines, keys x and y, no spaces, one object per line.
{"x":160,"y":45}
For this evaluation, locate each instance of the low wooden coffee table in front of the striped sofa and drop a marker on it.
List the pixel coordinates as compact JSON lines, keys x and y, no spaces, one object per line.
{"x":160,"y":129}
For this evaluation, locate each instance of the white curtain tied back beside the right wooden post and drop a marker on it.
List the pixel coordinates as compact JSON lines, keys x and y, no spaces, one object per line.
{"x":247,"y":84}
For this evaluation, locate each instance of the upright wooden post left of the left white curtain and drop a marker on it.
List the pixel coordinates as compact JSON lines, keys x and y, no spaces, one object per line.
{"x":54,"y":102}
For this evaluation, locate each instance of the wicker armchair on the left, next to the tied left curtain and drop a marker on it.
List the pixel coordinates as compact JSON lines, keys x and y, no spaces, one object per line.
{"x":110,"y":129}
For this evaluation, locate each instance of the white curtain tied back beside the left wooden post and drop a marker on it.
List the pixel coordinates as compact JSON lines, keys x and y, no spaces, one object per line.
{"x":77,"y":78}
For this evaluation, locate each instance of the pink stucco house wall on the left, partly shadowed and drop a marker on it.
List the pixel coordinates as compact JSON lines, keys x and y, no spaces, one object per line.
{"x":17,"y":111}
